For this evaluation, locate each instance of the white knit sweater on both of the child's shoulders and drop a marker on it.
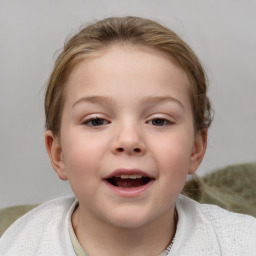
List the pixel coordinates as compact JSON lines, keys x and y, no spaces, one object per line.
{"x":202,"y":230}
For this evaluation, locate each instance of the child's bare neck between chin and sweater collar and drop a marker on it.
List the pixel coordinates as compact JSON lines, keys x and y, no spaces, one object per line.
{"x":150,"y":239}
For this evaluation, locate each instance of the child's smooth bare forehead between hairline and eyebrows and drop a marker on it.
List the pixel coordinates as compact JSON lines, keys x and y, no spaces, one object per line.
{"x":120,"y":67}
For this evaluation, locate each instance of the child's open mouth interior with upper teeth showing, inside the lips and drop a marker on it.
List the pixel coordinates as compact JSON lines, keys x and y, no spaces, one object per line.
{"x":128,"y":181}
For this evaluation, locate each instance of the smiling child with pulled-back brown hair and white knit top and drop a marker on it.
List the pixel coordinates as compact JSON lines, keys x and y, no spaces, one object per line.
{"x":126,"y":118}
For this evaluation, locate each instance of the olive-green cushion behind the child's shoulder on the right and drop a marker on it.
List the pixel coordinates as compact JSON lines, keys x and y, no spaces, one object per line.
{"x":232,"y":188}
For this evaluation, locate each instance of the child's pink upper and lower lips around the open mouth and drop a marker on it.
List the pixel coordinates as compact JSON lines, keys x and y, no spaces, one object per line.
{"x":131,"y":191}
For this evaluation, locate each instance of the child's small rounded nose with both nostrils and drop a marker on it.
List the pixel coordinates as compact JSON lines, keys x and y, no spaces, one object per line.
{"x":129,"y":139}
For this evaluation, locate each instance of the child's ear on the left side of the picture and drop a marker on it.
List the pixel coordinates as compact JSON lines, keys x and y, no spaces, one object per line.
{"x":54,"y":151}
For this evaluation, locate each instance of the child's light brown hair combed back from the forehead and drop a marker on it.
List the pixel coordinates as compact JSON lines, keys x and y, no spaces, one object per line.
{"x":135,"y":31}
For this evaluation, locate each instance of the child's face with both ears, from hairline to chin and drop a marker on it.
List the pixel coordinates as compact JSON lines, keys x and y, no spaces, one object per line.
{"x":127,"y":112}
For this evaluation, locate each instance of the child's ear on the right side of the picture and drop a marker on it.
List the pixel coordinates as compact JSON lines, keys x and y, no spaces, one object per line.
{"x":198,"y":151}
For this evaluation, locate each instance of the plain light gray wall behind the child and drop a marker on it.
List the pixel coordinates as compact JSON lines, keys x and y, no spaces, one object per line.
{"x":222,"y":33}
